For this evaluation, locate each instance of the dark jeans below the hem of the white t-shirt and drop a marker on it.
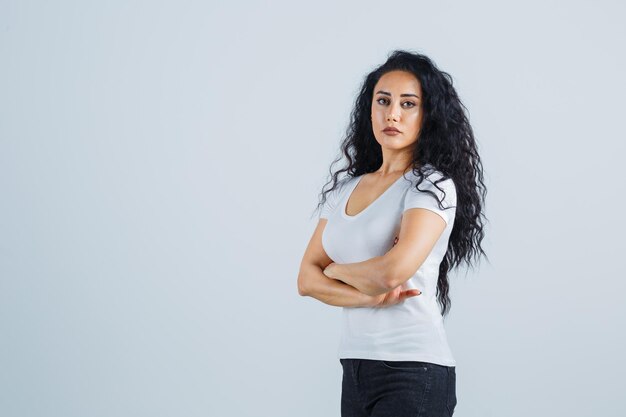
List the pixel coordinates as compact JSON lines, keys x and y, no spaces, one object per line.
{"x":375,"y":388}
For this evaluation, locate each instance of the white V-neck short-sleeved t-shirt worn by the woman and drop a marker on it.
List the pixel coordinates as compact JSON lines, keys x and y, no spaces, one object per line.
{"x":412,"y":330}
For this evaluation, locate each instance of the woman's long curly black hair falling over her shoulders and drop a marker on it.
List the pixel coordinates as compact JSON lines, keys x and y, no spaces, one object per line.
{"x":446,"y":142}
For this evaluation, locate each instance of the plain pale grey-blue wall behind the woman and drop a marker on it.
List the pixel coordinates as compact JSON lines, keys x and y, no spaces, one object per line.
{"x":159,"y":167}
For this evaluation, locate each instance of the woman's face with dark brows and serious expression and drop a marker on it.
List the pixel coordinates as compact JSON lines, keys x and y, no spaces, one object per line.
{"x":397,"y":102}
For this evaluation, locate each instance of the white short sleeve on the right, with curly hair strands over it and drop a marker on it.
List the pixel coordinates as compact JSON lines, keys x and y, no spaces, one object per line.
{"x":415,"y":198}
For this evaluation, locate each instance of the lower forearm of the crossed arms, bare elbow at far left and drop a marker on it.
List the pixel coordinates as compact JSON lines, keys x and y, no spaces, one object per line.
{"x":333,"y":292}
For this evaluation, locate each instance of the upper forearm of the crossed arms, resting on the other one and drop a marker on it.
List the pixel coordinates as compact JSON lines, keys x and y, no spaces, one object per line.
{"x":369,"y":277}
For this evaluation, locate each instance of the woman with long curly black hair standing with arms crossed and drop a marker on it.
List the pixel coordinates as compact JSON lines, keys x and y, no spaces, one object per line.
{"x":408,"y":211}
